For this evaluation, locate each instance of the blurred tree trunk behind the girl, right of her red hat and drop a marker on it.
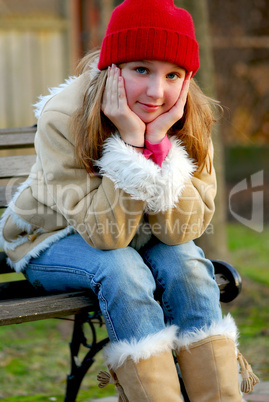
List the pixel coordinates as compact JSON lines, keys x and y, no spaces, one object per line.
{"x":214,"y":242}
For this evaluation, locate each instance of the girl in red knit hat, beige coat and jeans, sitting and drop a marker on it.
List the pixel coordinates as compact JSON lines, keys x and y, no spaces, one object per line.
{"x":123,"y":182}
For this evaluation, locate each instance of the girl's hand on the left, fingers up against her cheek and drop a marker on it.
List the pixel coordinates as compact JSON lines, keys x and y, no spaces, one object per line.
{"x":115,"y":107}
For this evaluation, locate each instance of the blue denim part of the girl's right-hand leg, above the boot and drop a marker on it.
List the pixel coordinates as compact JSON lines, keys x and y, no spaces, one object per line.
{"x":190,"y":295}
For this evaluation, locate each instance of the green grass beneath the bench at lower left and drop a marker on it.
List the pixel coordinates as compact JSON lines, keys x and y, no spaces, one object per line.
{"x":34,"y":361}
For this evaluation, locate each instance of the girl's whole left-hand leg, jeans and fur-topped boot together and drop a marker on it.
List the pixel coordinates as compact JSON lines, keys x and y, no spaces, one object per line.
{"x":140,"y":350}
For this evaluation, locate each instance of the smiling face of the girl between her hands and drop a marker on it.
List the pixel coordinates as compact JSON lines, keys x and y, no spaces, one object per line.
{"x":152,"y":87}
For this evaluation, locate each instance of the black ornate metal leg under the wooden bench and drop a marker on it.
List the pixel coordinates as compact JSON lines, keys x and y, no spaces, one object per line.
{"x":79,"y":369}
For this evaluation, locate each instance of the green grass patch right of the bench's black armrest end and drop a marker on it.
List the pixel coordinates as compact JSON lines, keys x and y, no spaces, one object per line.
{"x":249,"y":254}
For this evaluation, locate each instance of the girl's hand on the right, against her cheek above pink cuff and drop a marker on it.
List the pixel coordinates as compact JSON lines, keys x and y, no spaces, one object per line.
{"x":157,"y":129}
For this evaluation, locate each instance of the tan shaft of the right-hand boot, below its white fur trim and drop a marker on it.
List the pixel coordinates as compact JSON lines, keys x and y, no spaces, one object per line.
{"x":209,"y":370}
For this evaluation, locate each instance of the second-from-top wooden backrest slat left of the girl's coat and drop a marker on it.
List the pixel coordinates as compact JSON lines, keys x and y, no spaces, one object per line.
{"x":16,"y":165}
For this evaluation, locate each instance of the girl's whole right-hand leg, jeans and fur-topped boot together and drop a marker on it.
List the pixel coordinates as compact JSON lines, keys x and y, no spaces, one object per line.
{"x":206,"y":343}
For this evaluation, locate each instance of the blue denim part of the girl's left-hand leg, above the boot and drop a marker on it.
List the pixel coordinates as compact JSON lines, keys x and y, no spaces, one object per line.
{"x":123,"y":283}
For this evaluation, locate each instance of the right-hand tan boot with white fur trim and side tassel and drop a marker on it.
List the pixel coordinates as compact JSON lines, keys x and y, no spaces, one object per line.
{"x":208,"y":361}
